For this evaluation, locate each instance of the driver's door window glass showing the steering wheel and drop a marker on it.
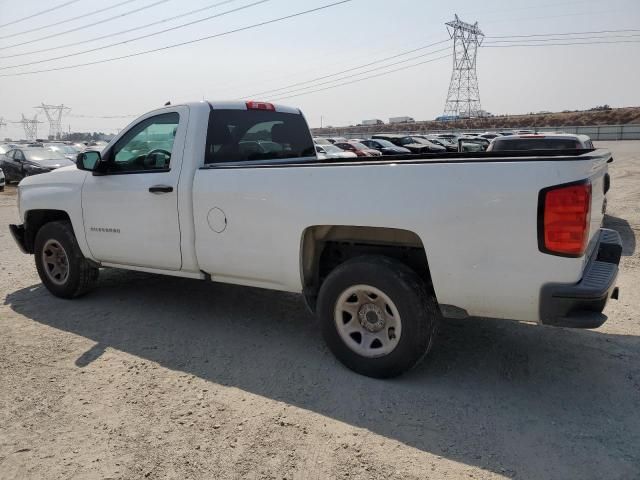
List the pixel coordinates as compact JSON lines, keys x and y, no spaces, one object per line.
{"x":147,"y":146}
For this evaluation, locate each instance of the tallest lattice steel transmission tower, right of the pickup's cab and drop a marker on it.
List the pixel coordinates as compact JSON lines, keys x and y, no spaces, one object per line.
{"x":463,"y":99}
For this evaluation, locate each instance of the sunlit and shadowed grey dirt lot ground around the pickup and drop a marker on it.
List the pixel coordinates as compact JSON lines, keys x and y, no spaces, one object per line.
{"x":157,"y":377}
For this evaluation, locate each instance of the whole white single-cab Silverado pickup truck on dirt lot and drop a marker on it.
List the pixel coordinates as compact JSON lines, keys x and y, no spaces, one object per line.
{"x":381,"y":248}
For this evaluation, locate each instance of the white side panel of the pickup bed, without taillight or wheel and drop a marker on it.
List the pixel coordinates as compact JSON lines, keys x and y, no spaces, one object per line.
{"x":475,"y":214}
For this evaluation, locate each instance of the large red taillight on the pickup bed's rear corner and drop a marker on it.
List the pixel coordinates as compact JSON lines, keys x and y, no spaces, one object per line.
{"x":563,"y":219}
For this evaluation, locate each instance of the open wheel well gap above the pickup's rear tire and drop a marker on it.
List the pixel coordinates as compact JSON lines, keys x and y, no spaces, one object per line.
{"x":324,"y":247}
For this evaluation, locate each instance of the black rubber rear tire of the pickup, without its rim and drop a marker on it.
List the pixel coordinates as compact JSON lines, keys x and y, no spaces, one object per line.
{"x":413,"y":299}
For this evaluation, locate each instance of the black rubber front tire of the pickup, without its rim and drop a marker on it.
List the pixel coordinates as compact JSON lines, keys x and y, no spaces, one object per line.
{"x":82,"y":276}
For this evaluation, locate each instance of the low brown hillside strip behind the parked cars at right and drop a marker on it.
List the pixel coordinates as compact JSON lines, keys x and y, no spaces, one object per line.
{"x":614,"y":116}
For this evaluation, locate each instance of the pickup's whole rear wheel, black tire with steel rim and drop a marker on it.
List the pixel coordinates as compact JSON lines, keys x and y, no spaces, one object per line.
{"x":378,"y":316}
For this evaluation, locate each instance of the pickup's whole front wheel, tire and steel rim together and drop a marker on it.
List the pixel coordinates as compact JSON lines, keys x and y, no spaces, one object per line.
{"x":61,"y":266}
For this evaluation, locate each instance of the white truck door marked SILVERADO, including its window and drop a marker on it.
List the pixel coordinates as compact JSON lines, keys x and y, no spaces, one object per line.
{"x":131,"y":210}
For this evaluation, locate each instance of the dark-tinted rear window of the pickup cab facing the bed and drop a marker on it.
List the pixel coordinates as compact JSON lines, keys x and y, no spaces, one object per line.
{"x":249,"y":135}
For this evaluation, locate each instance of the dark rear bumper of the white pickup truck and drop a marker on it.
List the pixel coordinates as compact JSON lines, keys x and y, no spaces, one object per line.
{"x":580,"y":305}
